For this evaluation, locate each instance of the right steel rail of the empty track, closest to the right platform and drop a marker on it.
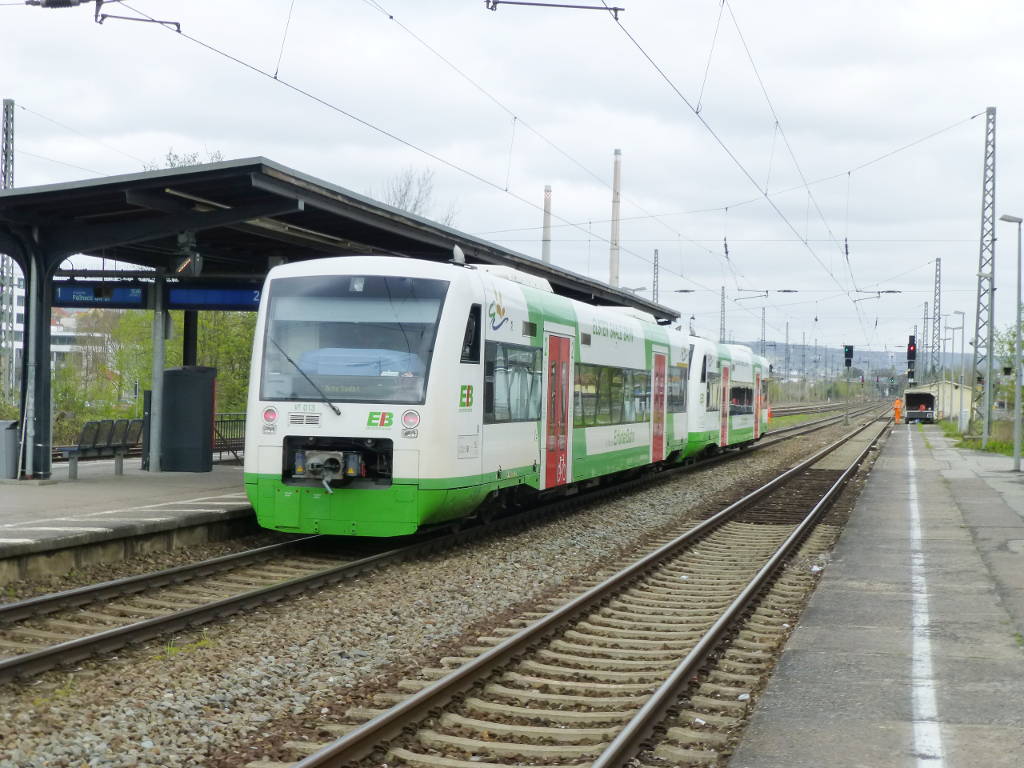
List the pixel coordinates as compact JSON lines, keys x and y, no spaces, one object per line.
{"x":630,"y":740}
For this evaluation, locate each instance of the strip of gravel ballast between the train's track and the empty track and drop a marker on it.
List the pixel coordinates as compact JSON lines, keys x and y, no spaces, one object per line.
{"x":223,"y":698}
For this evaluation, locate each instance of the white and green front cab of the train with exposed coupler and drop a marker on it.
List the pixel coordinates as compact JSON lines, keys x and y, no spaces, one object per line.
{"x":390,"y":354}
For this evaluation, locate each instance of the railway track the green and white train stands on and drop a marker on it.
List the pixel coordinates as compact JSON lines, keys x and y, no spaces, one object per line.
{"x":66,"y":628}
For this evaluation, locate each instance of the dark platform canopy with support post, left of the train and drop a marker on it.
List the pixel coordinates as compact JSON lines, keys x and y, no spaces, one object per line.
{"x":241,"y":218}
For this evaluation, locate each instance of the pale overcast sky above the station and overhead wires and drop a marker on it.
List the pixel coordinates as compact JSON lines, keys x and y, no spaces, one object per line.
{"x":849,"y":83}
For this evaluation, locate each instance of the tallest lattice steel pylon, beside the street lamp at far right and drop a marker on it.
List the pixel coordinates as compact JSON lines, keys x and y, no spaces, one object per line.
{"x":982,"y":402}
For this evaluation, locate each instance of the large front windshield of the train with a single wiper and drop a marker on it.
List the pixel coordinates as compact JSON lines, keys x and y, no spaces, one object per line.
{"x":363,"y":339}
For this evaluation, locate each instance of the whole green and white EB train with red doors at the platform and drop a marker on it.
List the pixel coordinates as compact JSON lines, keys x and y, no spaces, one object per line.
{"x":392,"y":395}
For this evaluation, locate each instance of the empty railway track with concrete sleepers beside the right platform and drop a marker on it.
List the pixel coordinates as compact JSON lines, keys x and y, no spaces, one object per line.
{"x":653,"y":666}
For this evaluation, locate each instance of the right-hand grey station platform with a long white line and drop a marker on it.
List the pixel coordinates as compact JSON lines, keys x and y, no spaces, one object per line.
{"x":912,"y":650}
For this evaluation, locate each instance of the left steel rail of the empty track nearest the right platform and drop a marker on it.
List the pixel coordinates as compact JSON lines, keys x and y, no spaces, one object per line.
{"x":364,"y":740}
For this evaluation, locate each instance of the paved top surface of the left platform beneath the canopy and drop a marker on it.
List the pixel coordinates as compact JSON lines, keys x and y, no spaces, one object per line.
{"x":101,"y":506}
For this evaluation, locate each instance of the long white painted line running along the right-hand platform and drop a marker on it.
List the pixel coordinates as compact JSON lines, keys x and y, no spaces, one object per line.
{"x":927,"y":737}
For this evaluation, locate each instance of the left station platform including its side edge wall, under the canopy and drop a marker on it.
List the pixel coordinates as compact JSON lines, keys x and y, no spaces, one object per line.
{"x":57,"y":526}
